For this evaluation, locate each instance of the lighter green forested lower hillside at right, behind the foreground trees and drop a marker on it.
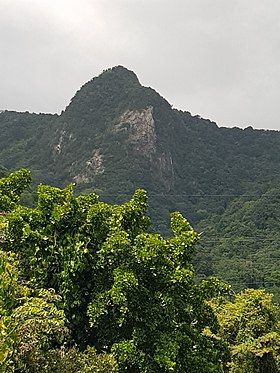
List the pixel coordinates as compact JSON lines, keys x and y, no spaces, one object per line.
{"x":241,"y":245}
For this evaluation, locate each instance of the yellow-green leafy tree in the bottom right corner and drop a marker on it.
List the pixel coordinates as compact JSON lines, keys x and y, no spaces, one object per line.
{"x":250,"y":323}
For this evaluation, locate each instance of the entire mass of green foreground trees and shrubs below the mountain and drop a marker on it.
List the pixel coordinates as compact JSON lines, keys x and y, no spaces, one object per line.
{"x":85,"y":288}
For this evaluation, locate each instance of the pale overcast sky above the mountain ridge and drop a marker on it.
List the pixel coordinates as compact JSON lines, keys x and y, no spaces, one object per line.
{"x":216,"y":58}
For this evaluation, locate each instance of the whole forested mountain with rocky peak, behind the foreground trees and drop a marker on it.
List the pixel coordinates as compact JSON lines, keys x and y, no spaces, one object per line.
{"x":116,"y":136}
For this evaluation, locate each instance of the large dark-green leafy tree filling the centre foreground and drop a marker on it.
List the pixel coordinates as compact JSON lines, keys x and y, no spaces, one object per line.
{"x":124,"y":291}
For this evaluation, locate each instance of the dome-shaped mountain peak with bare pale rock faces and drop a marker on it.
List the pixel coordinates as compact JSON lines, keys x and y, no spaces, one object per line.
{"x":112,"y":124}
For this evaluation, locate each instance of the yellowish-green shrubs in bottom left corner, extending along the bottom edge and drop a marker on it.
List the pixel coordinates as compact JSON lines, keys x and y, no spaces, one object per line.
{"x":33,"y":330}
